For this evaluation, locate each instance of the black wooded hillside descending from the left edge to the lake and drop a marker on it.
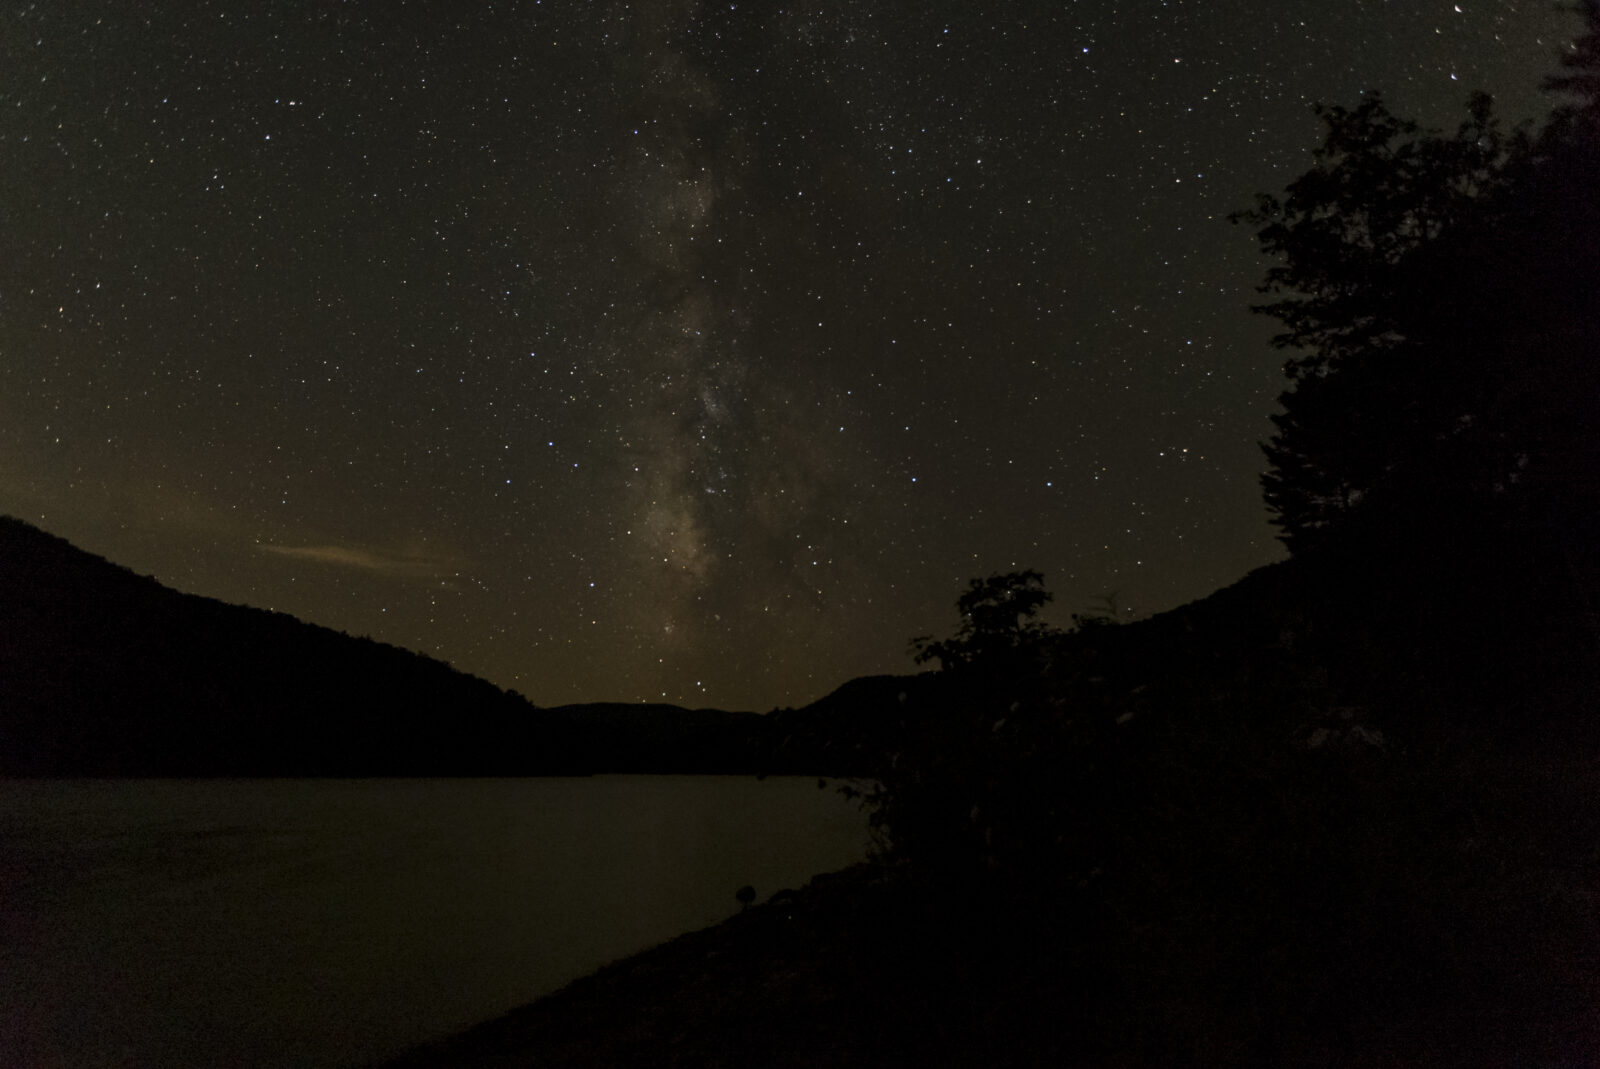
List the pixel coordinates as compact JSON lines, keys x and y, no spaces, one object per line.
{"x":110,"y":673}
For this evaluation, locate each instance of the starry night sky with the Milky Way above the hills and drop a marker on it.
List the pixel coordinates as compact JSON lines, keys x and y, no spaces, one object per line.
{"x":671,"y":351}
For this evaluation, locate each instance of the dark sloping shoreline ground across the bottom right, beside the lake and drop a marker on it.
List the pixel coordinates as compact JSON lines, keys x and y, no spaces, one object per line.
{"x":868,"y":969}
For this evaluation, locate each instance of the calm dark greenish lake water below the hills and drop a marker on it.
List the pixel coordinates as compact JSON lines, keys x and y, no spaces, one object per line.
{"x":314,"y":923}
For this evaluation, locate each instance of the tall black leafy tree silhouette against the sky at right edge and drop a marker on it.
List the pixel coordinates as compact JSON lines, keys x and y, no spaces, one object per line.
{"x":1439,"y":295}
